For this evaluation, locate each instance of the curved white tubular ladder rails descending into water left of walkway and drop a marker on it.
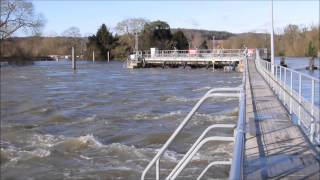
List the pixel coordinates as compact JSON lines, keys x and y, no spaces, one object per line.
{"x":215,"y":92}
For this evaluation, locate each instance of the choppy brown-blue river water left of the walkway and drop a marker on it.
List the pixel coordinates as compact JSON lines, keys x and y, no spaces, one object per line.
{"x":104,"y":121}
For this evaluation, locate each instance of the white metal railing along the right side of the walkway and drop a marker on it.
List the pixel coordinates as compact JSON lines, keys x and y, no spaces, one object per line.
{"x":297,"y":92}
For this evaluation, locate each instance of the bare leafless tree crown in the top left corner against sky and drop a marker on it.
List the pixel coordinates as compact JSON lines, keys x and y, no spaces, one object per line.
{"x":18,"y":15}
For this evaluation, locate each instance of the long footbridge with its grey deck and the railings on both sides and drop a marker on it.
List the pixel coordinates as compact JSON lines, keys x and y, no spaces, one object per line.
{"x":277,"y":134}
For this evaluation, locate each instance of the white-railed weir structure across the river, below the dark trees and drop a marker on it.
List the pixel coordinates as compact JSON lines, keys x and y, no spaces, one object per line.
{"x":229,"y":58}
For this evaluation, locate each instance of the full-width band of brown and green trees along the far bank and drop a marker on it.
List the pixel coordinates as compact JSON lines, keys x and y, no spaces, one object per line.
{"x":293,"y":41}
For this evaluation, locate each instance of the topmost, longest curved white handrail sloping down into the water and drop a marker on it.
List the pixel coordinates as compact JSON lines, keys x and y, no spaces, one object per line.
{"x":157,"y":157}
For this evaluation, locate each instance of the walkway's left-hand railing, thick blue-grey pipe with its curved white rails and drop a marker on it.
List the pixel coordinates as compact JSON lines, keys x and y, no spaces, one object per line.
{"x":237,"y":162}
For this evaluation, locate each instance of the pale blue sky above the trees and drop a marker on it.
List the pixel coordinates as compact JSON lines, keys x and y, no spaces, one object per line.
{"x":233,"y":16}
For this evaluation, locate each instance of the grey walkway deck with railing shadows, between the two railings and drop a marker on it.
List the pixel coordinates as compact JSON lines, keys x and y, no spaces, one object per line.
{"x":275,"y":147}
